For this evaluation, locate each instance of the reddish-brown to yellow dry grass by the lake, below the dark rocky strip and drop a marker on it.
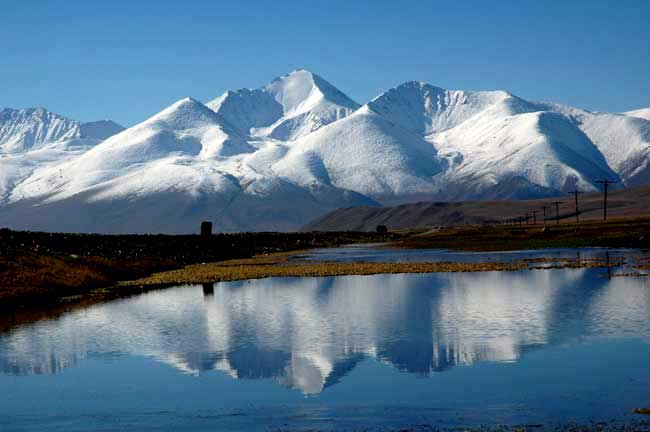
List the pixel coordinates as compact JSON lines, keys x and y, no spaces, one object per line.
{"x":54,"y":285}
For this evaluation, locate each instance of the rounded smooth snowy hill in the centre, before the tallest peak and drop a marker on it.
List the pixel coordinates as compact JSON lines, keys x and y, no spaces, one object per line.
{"x":365,"y":153}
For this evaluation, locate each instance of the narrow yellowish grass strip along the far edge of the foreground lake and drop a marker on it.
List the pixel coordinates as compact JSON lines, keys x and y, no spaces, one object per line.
{"x":281,"y":264}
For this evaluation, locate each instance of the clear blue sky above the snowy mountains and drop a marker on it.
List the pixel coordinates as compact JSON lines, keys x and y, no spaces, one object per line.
{"x":126,"y":60}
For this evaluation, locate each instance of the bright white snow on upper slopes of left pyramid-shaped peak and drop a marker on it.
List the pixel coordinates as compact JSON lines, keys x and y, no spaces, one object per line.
{"x":185,"y":129}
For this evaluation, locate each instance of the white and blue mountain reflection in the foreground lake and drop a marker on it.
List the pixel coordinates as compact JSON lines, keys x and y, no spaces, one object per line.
{"x":308,"y":333}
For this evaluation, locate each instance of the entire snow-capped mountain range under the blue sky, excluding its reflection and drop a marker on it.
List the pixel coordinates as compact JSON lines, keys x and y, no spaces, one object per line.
{"x":276,"y":157}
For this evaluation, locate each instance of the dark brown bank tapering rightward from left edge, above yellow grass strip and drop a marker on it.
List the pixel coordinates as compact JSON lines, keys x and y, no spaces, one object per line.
{"x":41,"y":268}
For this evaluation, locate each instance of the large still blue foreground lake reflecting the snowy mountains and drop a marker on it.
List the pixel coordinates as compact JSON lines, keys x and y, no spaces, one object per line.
{"x":386,"y":351}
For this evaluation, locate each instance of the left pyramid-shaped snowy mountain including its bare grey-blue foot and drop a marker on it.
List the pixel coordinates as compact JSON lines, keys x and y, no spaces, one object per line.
{"x":183,"y":165}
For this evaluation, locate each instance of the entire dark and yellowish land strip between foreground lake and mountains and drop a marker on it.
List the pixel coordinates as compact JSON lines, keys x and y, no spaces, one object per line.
{"x":44,"y":273}
